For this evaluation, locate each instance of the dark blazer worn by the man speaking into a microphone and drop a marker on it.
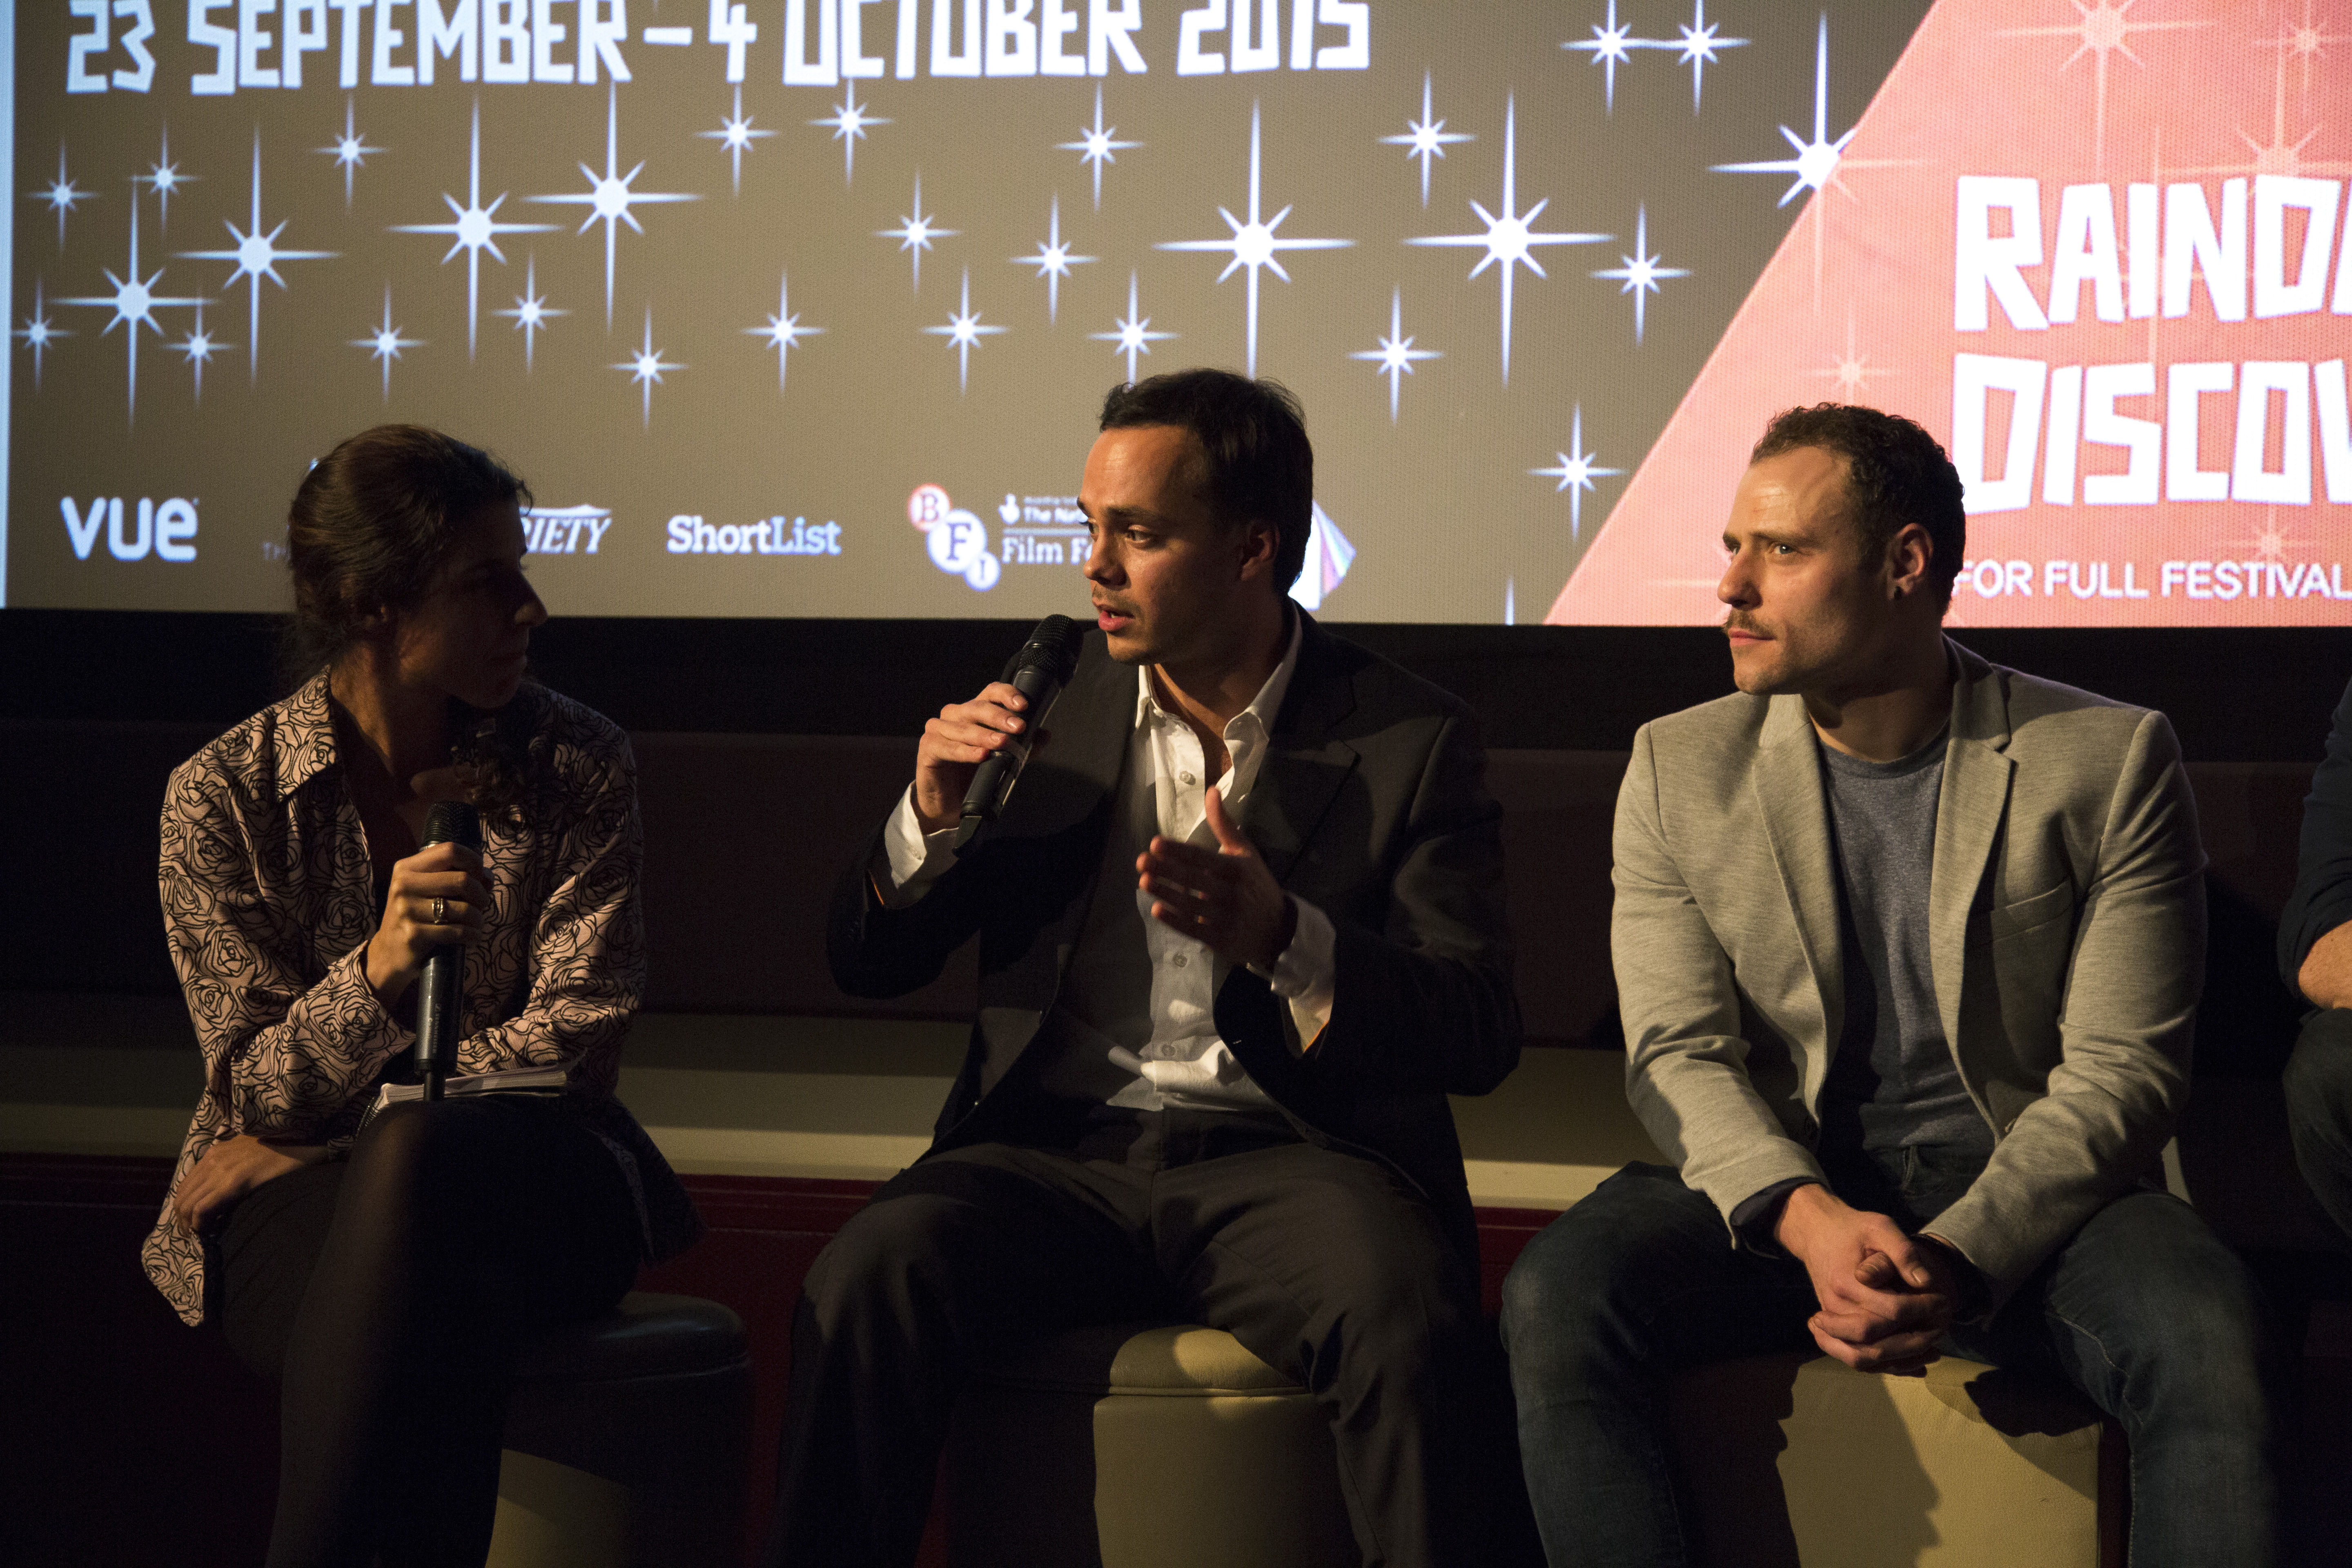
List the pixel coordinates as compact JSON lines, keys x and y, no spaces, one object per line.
{"x":1372,"y":805}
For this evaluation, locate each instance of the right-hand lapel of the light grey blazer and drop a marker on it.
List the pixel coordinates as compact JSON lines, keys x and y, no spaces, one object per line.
{"x":1970,"y":812}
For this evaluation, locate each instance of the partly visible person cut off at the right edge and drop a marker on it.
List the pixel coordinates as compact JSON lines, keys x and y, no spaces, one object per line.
{"x":2316,"y":958}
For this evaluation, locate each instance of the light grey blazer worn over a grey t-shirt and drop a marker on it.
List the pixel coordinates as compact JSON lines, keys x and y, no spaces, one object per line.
{"x":2069,"y":949}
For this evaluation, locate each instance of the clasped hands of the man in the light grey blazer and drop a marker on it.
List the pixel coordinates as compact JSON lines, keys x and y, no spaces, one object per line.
{"x":1885,"y":1299}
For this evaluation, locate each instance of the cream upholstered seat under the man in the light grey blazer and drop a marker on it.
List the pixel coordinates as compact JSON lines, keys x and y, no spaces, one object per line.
{"x":1798,"y":1459}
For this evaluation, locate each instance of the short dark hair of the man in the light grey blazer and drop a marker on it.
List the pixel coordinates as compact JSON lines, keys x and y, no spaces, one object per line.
{"x":1895,"y":474}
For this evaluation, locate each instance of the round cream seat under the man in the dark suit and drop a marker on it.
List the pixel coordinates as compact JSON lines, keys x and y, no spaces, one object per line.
{"x":1142,"y":1447}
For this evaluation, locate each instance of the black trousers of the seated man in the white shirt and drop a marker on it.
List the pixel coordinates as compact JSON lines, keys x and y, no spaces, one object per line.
{"x":1323,"y":1264}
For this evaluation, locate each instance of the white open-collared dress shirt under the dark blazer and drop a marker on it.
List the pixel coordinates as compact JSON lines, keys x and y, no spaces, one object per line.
{"x":1184,"y":1066}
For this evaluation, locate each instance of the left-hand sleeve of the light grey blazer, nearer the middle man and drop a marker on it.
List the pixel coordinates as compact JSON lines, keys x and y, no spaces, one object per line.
{"x":1685,"y":1047}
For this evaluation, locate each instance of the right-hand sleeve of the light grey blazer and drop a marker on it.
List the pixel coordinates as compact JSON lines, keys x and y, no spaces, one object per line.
{"x":2125,"y":1028}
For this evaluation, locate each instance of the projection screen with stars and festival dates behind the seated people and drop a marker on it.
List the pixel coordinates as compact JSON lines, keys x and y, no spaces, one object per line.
{"x":808,"y":307}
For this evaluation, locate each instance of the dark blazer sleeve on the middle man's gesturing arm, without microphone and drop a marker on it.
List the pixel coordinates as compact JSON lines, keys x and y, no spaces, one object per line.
{"x":1426,"y":1003}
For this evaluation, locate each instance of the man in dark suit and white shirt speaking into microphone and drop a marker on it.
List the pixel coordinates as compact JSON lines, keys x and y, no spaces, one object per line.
{"x":1241,"y":937}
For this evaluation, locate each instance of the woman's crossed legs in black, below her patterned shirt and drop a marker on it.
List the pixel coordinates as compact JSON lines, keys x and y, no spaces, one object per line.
{"x":387,"y":1296}
